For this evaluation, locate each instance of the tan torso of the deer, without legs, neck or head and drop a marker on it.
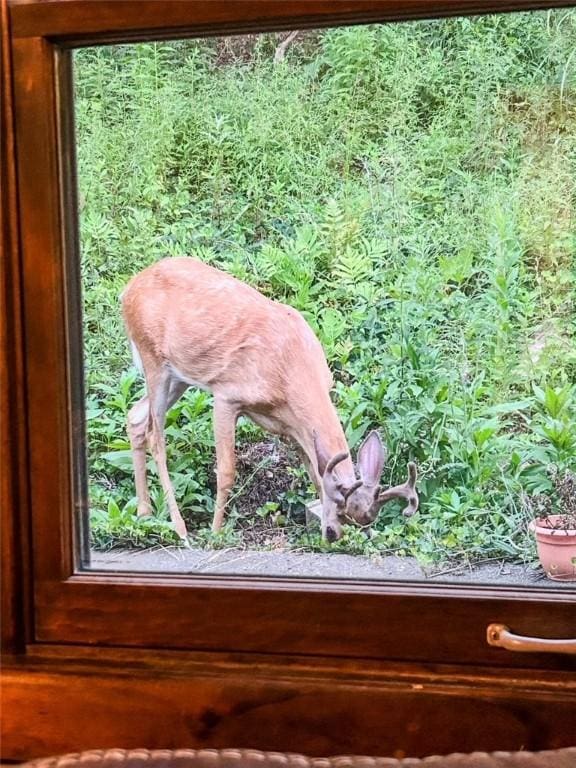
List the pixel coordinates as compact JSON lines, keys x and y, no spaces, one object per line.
{"x":218,"y":332}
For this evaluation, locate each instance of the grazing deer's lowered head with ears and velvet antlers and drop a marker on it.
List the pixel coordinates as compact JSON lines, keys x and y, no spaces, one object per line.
{"x":359,"y":501}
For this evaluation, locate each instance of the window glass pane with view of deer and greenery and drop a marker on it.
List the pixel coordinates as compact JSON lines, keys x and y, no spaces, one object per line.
{"x":409,"y":190}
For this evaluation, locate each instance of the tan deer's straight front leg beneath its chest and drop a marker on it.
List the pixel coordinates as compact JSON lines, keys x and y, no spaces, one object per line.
{"x":225,"y":417}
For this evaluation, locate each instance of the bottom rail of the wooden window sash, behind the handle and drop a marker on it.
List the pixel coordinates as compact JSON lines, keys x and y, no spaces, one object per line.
{"x":284,"y":617}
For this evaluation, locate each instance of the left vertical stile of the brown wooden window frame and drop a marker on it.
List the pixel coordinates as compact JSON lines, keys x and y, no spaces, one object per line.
{"x":45,"y":310}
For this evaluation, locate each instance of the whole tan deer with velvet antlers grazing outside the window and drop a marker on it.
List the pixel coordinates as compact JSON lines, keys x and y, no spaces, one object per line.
{"x":192,"y":325}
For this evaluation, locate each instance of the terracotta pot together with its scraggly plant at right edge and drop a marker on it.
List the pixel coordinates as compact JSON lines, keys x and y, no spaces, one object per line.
{"x":556,"y":532}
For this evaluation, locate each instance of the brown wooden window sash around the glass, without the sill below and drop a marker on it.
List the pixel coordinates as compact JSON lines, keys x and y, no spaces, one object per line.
{"x":408,"y":621}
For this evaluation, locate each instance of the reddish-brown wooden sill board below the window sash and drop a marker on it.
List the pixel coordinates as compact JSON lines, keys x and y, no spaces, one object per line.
{"x":310,"y":707}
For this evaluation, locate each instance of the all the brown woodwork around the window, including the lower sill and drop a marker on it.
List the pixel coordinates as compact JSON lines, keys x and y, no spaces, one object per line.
{"x":94,"y":660}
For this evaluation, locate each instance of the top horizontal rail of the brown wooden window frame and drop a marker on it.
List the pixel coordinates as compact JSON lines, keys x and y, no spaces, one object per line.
{"x":84,"y":22}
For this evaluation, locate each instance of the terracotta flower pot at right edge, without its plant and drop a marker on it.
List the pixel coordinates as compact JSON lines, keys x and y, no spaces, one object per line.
{"x":556,"y":547}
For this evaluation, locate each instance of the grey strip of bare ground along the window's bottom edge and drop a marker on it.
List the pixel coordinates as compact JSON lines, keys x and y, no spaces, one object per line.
{"x":332,"y":566}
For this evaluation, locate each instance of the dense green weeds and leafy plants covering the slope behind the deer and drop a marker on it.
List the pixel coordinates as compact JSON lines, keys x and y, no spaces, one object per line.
{"x":410,"y":189}
